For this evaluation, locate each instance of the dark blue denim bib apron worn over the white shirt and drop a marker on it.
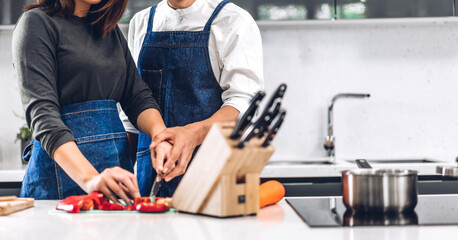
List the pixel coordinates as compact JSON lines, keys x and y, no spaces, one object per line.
{"x":176,"y":66}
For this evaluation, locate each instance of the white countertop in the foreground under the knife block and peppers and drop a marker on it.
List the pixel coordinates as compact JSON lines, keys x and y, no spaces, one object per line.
{"x":273,"y":222}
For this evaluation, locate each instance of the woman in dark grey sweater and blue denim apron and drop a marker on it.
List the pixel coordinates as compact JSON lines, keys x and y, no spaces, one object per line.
{"x":73,"y":65}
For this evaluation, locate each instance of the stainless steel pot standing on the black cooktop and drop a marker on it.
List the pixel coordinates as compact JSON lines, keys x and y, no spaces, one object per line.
{"x":379,"y":190}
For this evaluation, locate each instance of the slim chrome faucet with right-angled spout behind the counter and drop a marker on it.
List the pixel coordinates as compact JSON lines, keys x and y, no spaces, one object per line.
{"x":330,"y":139}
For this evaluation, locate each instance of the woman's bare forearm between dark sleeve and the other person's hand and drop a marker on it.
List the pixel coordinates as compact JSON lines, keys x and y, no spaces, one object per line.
{"x":150,"y":122}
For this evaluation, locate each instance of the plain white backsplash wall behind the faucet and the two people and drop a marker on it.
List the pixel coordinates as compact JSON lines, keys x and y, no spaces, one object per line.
{"x":408,"y":67}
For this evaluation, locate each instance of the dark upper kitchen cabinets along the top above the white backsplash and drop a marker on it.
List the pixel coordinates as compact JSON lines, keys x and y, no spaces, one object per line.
{"x":276,"y":10}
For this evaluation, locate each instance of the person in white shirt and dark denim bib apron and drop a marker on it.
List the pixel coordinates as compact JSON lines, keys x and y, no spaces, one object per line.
{"x":203,"y":61}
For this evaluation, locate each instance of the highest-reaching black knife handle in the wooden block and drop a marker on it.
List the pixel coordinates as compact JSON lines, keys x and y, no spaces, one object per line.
{"x":271,"y":109}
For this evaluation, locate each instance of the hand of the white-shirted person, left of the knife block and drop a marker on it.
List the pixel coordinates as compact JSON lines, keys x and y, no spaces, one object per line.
{"x":185,"y":140}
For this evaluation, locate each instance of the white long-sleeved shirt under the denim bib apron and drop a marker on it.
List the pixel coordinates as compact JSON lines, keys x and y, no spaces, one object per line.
{"x":235,"y":46}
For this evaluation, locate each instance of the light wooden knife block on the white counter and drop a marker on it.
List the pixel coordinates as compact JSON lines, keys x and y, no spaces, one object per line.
{"x":223,"y":180}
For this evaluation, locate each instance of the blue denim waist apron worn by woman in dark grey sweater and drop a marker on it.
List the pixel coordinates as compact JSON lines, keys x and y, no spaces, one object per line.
{"x":101,"y":138}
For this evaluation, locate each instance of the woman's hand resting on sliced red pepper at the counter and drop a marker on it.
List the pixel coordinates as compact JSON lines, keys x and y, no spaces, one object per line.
{"x":112,"y":182}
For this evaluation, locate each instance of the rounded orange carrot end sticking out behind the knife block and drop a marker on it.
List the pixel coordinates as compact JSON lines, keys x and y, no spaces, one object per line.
{"x":270,"y":193}
